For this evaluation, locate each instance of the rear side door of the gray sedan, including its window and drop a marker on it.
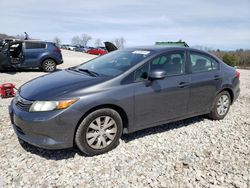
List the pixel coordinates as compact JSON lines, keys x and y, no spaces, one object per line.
{"x":206,"y":79}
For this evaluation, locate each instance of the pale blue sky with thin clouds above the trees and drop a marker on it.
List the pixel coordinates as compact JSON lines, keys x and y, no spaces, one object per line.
{"x":217,"y":24}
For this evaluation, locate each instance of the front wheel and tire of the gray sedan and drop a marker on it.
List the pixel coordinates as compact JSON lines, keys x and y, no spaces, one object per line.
{"x":91,"y":135}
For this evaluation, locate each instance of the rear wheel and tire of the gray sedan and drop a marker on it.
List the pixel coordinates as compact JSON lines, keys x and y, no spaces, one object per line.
{"x":221,"y":106}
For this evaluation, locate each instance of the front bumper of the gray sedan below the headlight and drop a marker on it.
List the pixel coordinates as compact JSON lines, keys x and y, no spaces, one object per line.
{"x":48,"y":130}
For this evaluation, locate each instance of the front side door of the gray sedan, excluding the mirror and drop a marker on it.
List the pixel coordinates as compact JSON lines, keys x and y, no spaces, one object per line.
{"x":165,"y":99}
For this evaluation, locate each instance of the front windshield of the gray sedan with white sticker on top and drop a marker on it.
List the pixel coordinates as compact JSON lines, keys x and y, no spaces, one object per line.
{"x":115,"y":63}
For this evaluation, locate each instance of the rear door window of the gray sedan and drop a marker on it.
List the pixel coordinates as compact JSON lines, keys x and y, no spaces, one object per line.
{"x":202,"y":63}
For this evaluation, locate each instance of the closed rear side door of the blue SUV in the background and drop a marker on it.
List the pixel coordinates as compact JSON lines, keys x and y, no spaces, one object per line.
{"x":32,"y":52}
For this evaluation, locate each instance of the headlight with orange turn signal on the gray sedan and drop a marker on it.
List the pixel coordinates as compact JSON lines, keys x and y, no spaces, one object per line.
{"x":43,"y":106}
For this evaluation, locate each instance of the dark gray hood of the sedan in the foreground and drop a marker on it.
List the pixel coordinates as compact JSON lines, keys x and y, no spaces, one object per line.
{"x":57,"y":85}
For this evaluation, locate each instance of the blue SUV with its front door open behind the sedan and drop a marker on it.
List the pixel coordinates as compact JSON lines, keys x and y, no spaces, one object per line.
{"x":30,"y":54}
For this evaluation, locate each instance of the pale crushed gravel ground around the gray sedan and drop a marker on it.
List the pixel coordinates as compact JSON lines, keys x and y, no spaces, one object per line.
{"x":196,"y":152}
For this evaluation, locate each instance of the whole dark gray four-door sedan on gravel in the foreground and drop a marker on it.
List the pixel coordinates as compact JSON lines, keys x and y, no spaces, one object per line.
{"x":93,"y":104}
